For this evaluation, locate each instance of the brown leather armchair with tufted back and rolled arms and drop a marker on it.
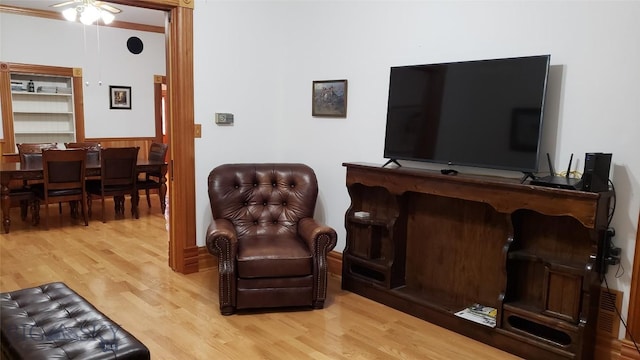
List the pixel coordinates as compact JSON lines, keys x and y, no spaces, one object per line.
{"x":271,"y":252}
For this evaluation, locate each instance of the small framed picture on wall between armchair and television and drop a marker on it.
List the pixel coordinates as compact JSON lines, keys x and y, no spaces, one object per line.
{"x":329,"y":98}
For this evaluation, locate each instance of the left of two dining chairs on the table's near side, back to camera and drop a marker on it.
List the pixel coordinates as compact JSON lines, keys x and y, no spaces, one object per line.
{"x":64,"y":180}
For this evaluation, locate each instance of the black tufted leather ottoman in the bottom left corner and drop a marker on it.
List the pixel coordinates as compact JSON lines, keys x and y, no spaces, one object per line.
{"x":53,"y":322}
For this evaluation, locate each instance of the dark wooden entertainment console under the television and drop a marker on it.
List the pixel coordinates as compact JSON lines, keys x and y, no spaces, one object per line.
{"x":435,"y":244}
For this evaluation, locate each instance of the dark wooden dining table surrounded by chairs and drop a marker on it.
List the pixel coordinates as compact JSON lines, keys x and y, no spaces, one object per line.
{"x":10,"y":171}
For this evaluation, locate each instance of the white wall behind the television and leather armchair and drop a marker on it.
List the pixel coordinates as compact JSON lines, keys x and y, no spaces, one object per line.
{"x":258,"y":59}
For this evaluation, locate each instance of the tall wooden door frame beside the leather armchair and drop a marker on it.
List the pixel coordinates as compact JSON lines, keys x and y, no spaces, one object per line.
{"x":183,"y":251}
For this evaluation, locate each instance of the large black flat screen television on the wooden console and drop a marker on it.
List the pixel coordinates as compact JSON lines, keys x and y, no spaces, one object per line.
{"x":484,"y":113}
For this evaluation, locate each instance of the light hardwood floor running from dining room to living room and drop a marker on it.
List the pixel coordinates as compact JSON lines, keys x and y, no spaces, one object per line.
{"x":121,"y":267}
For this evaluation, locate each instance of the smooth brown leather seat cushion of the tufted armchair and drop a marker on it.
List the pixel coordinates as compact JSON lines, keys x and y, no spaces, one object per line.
{"x":267,"y":256}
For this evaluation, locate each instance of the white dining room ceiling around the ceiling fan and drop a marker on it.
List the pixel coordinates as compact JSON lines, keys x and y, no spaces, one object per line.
{"x":128,"y":14}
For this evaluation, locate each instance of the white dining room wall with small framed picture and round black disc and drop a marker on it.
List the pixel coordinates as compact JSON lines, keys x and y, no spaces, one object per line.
{"x":102,"y":54}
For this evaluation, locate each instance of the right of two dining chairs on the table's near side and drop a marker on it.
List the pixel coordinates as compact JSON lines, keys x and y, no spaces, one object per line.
{"x":117,"y":179}
